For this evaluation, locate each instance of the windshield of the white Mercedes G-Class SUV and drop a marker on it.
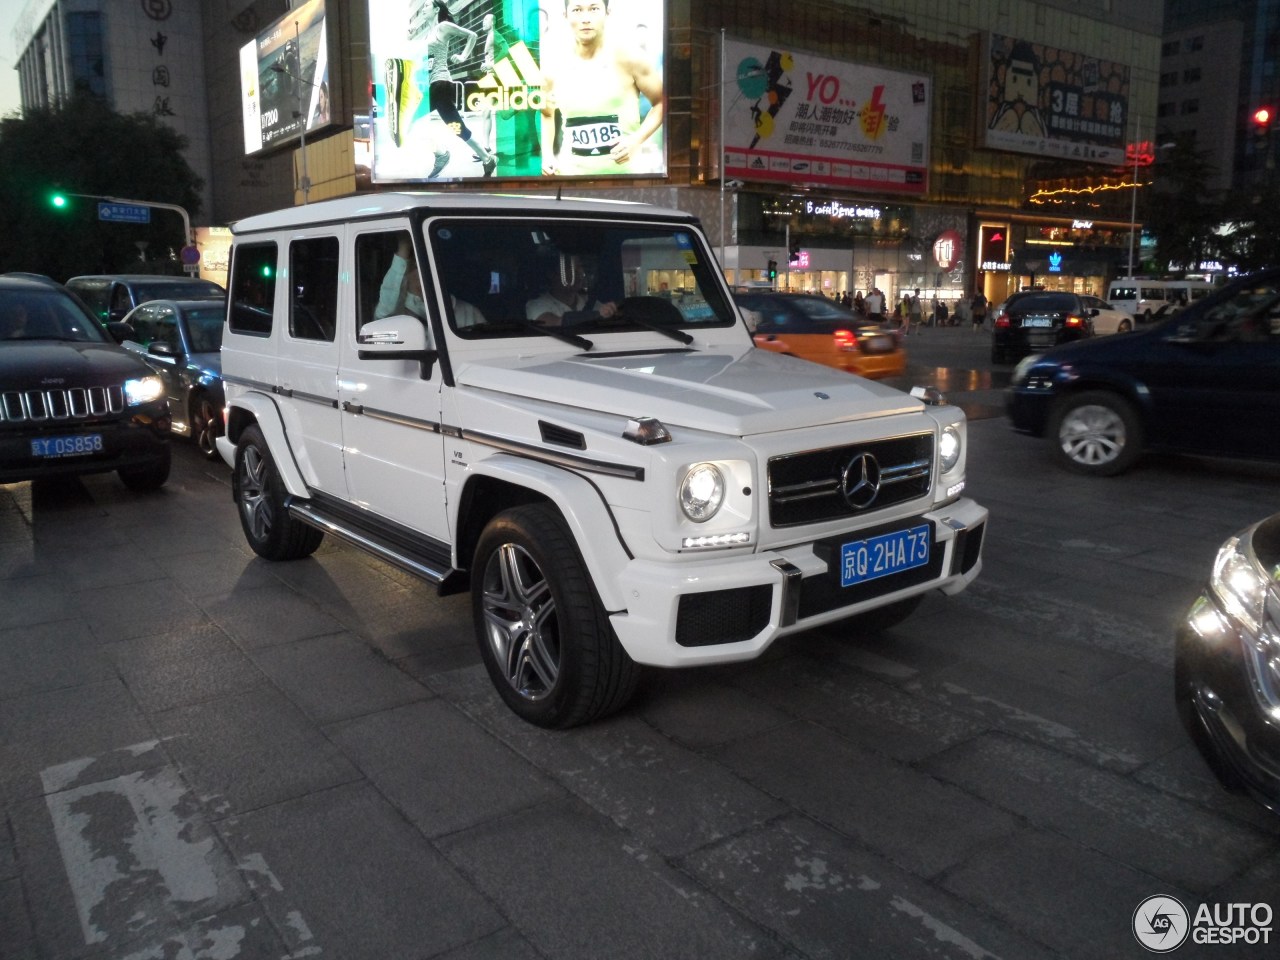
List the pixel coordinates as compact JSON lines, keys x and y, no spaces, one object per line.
{"x":575,"y":278}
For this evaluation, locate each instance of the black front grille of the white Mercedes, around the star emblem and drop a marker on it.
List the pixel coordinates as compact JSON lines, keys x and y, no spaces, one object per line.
{"x":806,"y":488}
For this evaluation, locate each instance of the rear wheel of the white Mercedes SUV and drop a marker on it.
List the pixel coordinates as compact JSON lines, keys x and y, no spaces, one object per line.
{"x":259,"y":493}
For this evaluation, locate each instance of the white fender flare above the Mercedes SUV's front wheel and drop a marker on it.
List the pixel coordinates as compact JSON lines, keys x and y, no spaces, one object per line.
{"x":586,"y":513}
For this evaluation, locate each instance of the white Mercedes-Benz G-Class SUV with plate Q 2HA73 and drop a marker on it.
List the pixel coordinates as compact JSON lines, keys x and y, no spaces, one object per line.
{"x":556,"y":405}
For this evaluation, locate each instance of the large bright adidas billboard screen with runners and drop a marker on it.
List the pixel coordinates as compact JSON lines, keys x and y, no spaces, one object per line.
{"x":479,"y":89}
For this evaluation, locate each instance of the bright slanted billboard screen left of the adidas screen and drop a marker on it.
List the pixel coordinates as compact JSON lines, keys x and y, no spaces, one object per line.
{"x":285,"y":79}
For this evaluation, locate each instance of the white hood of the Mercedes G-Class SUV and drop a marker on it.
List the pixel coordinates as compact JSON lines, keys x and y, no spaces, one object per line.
{"x":739,"y":395}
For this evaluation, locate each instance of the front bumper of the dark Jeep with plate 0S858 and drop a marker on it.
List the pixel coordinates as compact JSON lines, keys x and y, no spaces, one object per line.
{"x":132,"y":441}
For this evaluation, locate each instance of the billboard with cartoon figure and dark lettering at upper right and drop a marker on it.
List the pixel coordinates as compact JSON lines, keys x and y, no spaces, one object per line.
{"x":1055,"y":103}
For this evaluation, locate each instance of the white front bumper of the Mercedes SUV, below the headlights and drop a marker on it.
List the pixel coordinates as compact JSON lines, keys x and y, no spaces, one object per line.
{"x":730,"y":609}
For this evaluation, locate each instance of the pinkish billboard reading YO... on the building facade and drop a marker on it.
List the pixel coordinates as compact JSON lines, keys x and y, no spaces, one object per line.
{"x":797,"y":118}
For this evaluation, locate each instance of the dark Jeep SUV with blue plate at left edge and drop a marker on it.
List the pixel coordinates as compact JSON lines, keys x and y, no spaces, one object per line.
{"x":72,"y":401}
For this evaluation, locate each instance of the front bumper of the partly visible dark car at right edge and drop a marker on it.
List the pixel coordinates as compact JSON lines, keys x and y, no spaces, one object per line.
{"x":1218,"y":701}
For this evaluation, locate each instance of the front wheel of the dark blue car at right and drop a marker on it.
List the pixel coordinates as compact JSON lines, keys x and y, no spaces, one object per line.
{"x":1096,"y":433}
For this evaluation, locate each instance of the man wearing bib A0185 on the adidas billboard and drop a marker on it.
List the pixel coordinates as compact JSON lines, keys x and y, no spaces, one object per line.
{"x":595,"y":94}
